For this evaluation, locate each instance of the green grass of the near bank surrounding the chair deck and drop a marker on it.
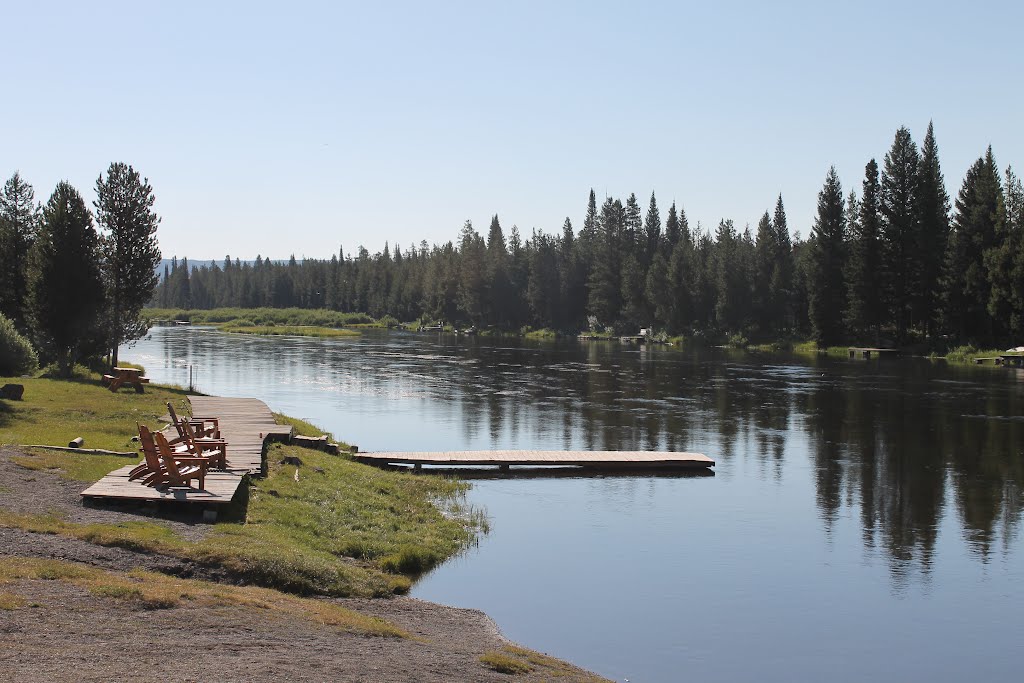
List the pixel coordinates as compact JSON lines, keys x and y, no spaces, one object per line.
{"x":337,"y":528}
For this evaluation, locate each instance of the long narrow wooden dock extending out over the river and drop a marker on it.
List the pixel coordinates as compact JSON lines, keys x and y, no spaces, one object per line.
{"x":623,"y":460}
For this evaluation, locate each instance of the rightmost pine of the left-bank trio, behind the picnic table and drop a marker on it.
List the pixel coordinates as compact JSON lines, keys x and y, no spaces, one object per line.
{"x":124,"y":214}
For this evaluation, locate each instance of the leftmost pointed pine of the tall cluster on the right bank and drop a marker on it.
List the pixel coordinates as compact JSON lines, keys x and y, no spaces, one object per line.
{"x":826,"y":290}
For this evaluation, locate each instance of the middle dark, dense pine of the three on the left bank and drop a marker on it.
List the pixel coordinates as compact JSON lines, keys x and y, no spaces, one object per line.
{"x":66,"y":284}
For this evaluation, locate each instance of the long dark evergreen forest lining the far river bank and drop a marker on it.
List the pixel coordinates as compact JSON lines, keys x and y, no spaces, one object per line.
{"x":889,"y":261}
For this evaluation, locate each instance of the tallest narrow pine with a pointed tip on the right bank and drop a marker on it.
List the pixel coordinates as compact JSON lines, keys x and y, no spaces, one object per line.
{"x":934,"y":232}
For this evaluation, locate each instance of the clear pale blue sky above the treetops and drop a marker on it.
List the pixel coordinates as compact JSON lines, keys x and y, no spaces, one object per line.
{"x":292,"y":129}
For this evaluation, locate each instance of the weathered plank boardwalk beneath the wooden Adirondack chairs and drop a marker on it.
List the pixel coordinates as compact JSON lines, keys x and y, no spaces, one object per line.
{"x":245,"y":424}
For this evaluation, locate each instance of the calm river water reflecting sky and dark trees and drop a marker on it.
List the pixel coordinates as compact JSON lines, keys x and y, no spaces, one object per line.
{"x":863,"y":524}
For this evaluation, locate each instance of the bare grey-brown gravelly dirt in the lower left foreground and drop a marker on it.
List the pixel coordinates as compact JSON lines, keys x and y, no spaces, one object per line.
{"x":64,"y":633}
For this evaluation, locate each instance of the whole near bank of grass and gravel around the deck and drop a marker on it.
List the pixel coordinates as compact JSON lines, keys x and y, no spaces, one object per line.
{"x":102,"y":576}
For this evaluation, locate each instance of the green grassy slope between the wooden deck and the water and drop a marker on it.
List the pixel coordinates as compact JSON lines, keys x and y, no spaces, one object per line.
{"x":344,"y":528}
